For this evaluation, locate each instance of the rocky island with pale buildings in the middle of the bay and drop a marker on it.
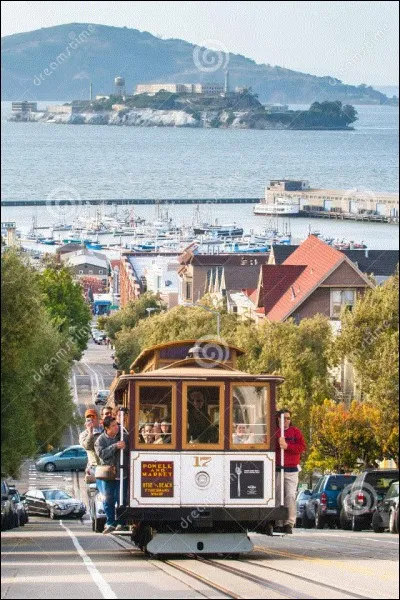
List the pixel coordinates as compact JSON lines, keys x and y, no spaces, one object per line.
{"x":232,"y":110}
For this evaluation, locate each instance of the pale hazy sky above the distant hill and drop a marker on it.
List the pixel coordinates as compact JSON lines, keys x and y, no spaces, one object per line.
{"x":354,"y":41}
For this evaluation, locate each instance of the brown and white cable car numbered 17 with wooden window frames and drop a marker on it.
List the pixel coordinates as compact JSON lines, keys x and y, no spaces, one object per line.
{"x":202,"y":449}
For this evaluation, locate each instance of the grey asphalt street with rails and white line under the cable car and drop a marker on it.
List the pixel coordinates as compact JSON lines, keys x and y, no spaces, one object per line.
{"x":65,"y":559}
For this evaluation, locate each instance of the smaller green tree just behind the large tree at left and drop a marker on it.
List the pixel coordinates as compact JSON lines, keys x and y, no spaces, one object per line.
{"x":65,"y":303}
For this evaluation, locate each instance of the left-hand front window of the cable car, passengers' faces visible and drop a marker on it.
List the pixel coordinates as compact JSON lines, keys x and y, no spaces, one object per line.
{"x":155,"y":415}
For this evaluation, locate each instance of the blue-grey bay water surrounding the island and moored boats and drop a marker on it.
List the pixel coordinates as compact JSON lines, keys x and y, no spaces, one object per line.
{"x":42,"y":161}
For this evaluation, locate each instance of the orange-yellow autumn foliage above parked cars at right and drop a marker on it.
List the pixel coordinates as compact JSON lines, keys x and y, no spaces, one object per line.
{"x":343,"y":439}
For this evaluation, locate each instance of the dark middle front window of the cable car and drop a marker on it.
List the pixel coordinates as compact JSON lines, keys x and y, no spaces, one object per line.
{"x":203,"y":414}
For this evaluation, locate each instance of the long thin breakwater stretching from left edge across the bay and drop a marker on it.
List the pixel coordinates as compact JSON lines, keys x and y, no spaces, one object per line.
{"x":125,"y":201}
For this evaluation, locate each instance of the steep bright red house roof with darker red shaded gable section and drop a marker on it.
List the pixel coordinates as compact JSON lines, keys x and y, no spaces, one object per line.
{"x":309,"y":266}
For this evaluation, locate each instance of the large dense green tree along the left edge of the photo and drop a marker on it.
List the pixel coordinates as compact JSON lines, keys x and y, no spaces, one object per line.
{"x":36,"y":359}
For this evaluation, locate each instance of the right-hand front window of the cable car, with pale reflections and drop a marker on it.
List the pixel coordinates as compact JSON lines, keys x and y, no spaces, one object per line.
{"x":250,"y":419}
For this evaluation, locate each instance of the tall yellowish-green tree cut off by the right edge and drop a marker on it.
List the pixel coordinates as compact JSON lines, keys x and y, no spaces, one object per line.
{"x":370,"y":340}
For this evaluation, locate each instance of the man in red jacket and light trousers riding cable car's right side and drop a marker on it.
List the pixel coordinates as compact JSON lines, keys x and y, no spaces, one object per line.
{"x":293,"y":445}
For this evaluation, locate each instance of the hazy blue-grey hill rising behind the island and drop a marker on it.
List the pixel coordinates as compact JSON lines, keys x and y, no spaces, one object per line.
{"x":57,"y":63}
